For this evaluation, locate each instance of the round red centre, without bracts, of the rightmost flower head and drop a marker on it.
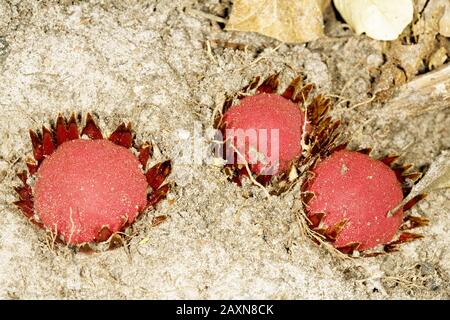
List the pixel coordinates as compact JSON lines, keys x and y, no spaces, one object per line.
{"x":352,"y":186}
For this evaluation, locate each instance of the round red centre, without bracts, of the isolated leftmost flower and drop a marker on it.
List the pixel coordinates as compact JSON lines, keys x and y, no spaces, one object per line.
{"x":86,"y":185}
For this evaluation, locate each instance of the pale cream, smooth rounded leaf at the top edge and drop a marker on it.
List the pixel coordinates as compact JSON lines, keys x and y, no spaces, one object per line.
{"x":379,"y":19}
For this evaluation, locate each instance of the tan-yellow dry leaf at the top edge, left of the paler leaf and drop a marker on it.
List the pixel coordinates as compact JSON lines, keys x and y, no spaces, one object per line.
{"x":285,"y":20}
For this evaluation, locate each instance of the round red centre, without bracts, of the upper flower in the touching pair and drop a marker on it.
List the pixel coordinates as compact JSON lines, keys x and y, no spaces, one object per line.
{"x":266,"y":111}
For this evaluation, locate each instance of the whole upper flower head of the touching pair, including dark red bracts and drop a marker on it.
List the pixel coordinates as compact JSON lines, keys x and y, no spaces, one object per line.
{"x":265,"y":130}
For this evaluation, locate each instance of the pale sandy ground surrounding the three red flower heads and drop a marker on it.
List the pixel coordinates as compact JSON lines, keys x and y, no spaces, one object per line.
{"x":147,"y":63}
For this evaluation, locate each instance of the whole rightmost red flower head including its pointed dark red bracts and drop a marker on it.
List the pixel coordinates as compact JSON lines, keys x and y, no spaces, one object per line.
{"x":356,"y":201}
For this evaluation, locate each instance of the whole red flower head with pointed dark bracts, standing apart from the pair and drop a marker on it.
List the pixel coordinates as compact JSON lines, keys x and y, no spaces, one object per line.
{"x":88,"y":190}
